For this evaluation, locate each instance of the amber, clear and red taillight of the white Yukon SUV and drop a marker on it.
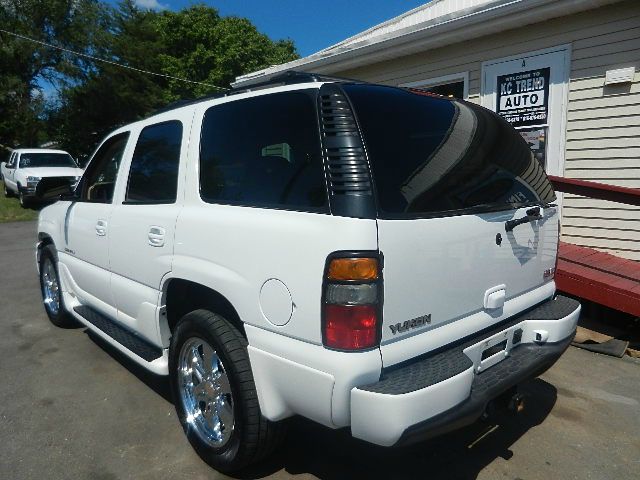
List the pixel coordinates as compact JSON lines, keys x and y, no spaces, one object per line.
{"x":351,"y":302}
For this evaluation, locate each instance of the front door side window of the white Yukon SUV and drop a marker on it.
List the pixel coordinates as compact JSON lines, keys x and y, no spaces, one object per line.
{"x":99,"y":179}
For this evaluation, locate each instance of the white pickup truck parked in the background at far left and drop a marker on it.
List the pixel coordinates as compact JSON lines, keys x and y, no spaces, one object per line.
{"x":25,"y":167}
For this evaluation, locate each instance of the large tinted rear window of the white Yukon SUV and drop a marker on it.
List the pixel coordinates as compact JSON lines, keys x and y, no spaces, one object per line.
{"x":432,"y":155}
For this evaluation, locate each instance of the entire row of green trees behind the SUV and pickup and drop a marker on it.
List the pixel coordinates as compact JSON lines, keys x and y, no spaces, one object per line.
{"x":95,"y":97}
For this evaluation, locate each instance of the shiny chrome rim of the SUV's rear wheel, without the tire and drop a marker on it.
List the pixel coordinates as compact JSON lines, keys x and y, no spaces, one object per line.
{"x":205,"y":392}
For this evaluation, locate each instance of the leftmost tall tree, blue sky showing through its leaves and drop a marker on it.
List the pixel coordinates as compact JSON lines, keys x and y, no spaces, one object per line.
{"x":24,"y":64}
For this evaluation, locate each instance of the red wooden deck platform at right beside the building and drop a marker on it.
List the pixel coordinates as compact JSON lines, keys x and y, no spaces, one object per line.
{"x":599,"y":277}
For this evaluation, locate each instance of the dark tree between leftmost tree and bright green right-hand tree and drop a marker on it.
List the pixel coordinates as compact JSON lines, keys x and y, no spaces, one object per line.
{"x":108,"y":95}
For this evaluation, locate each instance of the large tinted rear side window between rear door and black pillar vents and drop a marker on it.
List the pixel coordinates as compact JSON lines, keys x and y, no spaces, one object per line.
{"x":263,"y":151}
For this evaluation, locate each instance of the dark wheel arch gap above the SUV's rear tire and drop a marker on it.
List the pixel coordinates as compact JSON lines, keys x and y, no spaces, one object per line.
{"x":181,"y":296}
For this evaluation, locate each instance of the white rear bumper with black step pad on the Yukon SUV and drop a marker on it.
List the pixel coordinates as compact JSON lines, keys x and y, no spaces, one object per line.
{"x":450,"y":388}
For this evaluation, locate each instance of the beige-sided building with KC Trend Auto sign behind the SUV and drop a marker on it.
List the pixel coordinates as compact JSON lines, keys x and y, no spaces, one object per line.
{"x":566,"y":73}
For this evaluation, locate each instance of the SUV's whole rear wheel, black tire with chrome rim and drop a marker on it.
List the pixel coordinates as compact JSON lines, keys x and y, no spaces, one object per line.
{"x":215,"y":395}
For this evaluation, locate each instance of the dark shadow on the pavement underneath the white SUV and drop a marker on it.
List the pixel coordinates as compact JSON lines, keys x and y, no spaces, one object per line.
{"x":335,"y":455}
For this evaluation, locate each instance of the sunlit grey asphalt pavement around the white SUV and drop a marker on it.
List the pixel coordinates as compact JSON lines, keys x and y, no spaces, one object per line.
{"x":71,"y":407}
